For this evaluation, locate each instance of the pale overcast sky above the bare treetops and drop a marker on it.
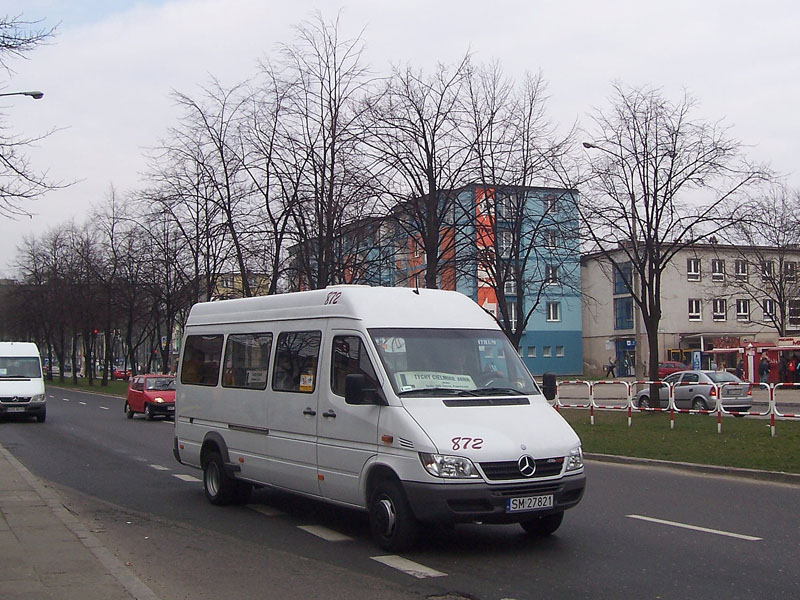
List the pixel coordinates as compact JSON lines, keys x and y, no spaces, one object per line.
{"x":108,"y":74}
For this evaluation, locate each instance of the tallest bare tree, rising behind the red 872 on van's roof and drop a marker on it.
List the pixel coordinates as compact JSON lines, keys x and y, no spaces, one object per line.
{"x":326,"y":81}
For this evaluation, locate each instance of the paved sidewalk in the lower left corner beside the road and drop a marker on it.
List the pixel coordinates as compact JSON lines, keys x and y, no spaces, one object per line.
{"x":46,"y":553}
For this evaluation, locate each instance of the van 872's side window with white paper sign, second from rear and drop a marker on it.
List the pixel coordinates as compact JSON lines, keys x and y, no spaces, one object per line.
{"x":247,"y":361}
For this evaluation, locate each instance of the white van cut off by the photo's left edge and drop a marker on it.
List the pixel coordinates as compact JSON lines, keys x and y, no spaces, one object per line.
{"x":21,"y":381}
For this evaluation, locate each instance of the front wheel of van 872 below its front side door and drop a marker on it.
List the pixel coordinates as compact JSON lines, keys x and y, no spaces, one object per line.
{"x":394,"y":527}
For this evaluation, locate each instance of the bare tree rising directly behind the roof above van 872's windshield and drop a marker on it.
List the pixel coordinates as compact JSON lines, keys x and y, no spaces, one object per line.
{"x":415,"y":137}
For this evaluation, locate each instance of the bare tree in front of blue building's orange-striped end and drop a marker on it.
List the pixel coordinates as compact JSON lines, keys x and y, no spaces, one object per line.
{"x":523,"y":236}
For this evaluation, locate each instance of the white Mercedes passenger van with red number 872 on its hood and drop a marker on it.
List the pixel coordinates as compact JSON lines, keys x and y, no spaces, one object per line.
{"x":409,"y":404}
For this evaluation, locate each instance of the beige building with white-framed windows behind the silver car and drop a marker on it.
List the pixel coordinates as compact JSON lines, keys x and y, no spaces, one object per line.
{"x":715,"y":299}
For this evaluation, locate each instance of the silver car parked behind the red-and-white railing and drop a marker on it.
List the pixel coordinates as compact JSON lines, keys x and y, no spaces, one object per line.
{"x":696,"y":390}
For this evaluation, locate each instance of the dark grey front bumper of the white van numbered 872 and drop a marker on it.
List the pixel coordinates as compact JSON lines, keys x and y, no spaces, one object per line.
{"x":464,"y":503}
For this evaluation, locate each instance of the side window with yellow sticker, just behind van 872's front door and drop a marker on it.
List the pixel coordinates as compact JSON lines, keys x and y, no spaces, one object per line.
{"x":296,"y":356}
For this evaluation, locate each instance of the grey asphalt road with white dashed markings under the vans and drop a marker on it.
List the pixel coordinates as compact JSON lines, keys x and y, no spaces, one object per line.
{"x":640,"y":532}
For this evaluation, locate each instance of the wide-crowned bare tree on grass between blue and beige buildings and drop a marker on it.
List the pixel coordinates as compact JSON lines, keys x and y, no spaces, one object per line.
{"x":661,"y":180}
